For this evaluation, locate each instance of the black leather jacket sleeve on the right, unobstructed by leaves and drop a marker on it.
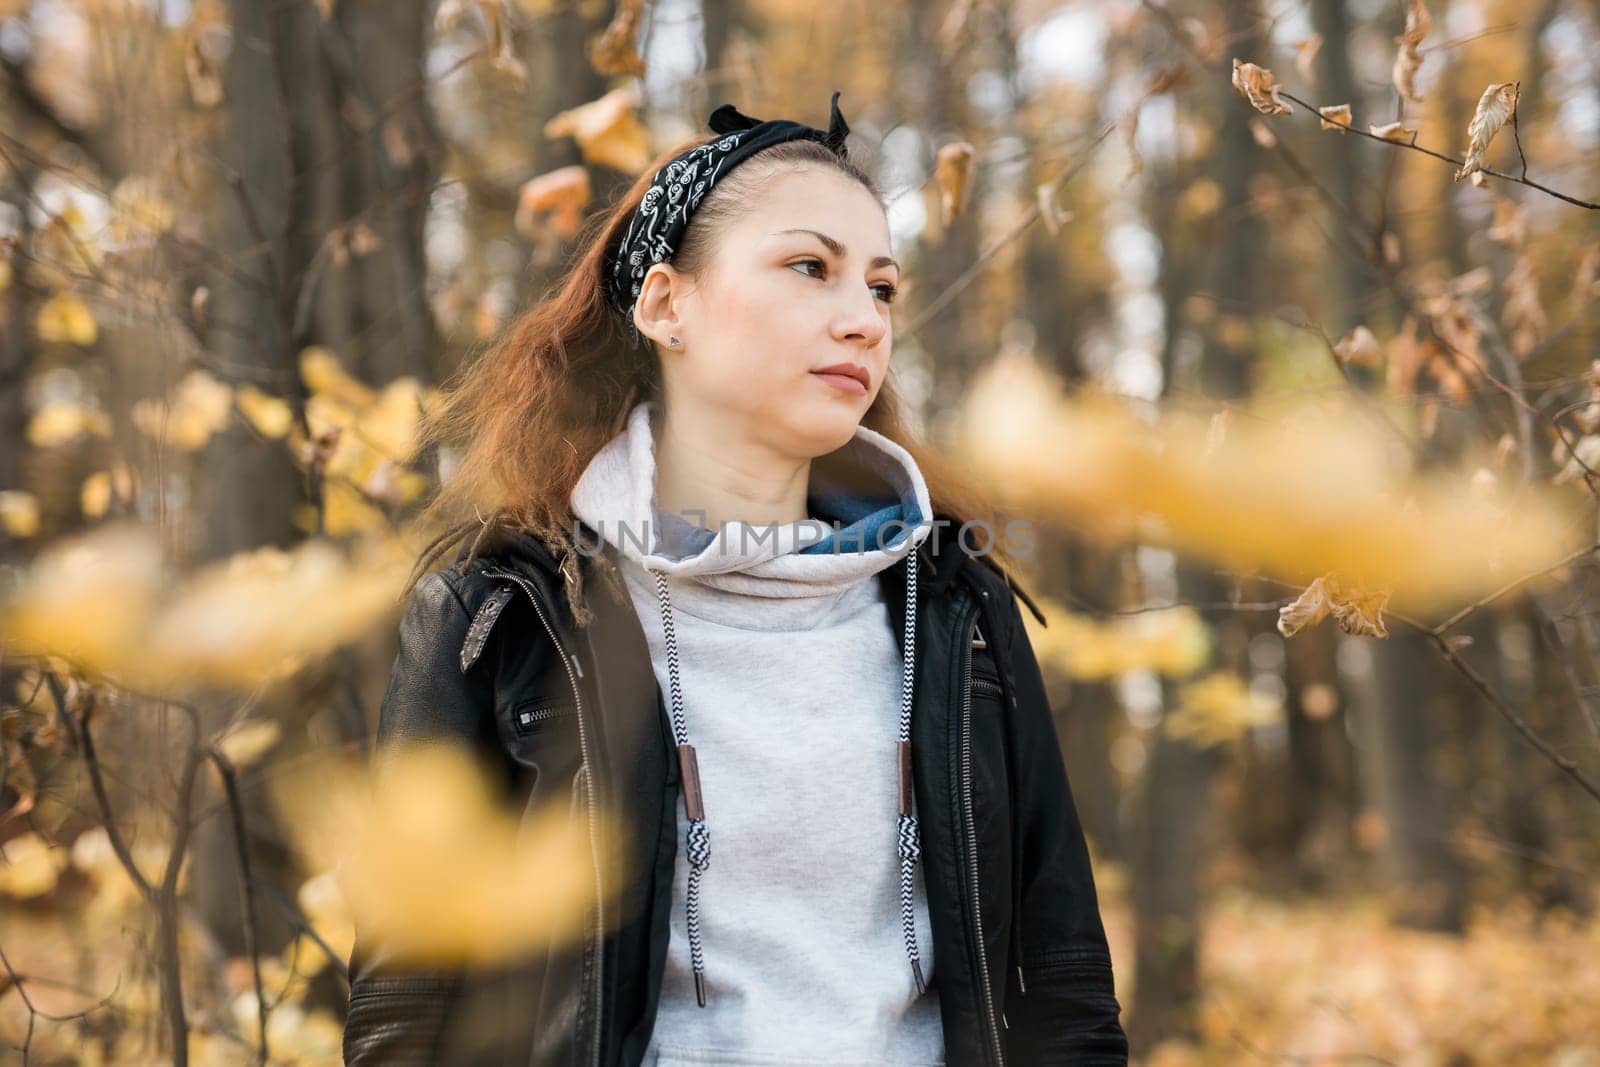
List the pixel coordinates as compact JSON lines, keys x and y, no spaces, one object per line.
{"x":1070,"y":1013}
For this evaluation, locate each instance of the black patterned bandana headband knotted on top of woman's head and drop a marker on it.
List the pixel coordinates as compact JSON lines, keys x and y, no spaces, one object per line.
{"x":658,"y":225}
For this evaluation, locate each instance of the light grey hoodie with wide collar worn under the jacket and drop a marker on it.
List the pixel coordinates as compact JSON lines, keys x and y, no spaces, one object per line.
{"x":793,"y":695}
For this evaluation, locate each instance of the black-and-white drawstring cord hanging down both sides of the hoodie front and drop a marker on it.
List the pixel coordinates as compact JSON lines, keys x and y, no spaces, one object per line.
{"x":908,"y":837}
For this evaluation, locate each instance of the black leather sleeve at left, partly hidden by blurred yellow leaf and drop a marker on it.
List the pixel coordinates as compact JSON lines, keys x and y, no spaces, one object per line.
{"x":399,"y":1015}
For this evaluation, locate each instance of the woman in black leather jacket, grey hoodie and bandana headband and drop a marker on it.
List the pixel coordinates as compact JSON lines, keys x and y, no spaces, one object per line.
{"x":722,"y":596}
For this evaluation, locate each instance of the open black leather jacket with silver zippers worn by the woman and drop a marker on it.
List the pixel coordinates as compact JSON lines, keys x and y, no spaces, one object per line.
{"x":490,"y":655}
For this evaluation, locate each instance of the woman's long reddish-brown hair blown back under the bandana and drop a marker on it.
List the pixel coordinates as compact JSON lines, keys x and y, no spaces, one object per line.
{"x":529,"y":415}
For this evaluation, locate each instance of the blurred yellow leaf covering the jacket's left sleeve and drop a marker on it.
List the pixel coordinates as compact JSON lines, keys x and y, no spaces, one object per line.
{"x":436,"y":866}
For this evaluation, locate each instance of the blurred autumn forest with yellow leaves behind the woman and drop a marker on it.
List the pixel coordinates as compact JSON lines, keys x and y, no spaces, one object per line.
{"x":1276,"y":321}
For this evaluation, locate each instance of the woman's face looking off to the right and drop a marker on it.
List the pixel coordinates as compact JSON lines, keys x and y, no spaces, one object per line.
{"x":798,"y":284}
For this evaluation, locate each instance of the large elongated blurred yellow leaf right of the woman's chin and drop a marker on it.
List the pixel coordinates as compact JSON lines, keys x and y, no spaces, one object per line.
{"x":1298,"y":489}
